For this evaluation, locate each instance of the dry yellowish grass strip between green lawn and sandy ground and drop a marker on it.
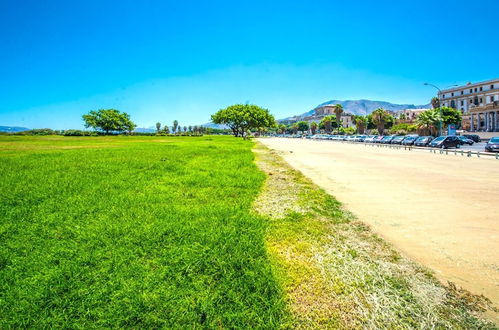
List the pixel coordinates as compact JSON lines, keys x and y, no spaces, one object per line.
{"x":336,"y":273}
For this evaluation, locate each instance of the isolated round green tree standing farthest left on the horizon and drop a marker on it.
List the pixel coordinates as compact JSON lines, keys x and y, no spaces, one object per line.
{"x":109,"y":120}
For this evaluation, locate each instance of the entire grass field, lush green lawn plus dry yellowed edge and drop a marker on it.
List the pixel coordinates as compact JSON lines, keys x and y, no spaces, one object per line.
{"x":196,"y":232}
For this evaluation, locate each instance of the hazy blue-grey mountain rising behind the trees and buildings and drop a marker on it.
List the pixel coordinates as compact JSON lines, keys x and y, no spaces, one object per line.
{"x":363,"y":107}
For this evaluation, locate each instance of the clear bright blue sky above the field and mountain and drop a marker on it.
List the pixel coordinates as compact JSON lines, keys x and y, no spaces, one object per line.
{"x":166,"y":60}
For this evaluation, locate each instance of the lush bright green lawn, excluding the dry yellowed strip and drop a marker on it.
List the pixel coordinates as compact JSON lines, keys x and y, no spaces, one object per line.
{"x":133,"y":232}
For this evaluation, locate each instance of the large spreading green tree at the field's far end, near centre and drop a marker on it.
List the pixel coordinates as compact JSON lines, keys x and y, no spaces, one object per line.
{"x":243,"y":117}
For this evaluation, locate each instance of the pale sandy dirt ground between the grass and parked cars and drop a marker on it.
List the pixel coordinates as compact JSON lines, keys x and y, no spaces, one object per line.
{"x":440,"y":210}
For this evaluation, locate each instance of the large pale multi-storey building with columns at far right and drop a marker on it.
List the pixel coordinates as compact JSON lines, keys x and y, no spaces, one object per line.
{"x":479,"y":103}
